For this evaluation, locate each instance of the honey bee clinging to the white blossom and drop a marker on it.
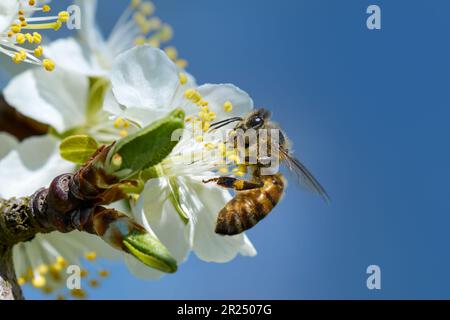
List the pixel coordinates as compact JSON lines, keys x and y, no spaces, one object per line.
{"x":255,"y":198}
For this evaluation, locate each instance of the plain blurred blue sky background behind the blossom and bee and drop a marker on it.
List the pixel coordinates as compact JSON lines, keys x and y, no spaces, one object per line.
{"x":368,"y":112}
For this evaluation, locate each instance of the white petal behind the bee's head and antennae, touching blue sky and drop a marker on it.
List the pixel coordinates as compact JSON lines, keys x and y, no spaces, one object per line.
{"x":218,"y":94}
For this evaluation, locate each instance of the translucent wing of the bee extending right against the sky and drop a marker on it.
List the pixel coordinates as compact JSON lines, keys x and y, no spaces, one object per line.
{"x":304,"y":177}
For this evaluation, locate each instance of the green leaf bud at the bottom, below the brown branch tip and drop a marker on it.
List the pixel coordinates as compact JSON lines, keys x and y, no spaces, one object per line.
{"x":150,"y":251}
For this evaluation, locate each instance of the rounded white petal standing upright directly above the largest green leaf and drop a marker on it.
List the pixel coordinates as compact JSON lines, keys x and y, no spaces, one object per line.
{"x":144,"y":77}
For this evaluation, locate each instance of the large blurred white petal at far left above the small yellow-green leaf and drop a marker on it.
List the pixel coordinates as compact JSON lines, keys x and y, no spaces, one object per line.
{"x":58,"y":98}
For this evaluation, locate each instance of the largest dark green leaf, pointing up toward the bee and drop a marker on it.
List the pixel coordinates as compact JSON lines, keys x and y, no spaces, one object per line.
{"x":145,"y":148}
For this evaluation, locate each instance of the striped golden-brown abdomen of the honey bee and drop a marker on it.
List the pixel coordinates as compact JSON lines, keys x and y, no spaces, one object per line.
{"x":248,"y":207}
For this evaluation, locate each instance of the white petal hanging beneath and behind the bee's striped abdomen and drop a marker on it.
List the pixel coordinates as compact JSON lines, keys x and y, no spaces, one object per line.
{"x":208,"y":245}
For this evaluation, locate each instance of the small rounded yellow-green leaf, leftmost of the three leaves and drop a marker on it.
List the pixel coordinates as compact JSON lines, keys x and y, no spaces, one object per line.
{"x":78,"y":148}
